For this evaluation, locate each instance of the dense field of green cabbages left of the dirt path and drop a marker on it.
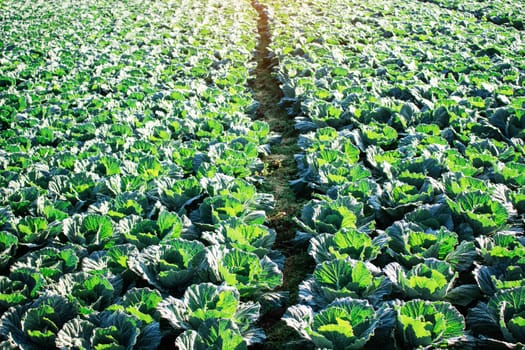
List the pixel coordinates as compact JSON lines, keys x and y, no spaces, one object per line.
{"x":129,"y":215}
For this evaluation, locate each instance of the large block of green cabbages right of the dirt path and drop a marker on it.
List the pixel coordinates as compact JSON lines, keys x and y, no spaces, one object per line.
{"x":412,"y":121}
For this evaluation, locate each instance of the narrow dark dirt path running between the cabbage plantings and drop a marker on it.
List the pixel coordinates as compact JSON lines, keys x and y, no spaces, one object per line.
{"x":280,"y":168}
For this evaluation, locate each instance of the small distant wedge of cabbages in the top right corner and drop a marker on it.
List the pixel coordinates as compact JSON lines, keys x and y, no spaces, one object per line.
{"x":501,"y":12}
